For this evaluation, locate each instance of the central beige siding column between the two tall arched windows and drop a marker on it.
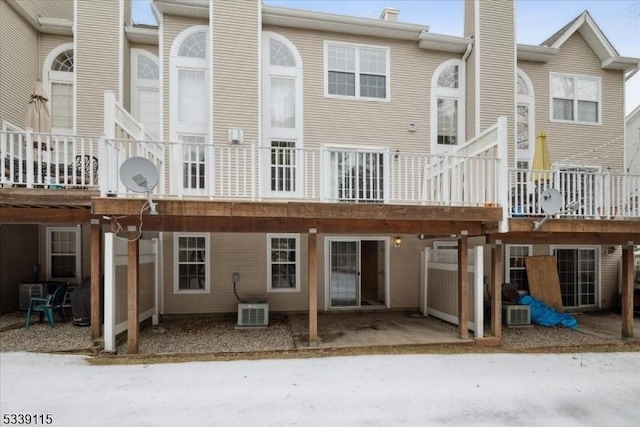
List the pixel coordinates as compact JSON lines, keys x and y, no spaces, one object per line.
{"x":235,"y":69}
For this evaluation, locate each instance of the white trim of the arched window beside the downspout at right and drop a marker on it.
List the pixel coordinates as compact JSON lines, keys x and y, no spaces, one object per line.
{"x":447,"y":93}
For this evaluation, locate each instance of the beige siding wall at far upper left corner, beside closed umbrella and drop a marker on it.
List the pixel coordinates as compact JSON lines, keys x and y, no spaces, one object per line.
{"x":19,"y":69}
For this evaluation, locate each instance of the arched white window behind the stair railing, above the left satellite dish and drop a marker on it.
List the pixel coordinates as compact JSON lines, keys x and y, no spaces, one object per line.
{"x":145,"y":92}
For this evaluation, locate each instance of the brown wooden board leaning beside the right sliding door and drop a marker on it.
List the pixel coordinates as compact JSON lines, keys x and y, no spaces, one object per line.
{"x":542,"y":273}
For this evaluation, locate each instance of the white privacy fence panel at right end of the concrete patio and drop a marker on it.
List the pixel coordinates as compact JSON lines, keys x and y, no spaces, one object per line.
{"x":439,"y":286}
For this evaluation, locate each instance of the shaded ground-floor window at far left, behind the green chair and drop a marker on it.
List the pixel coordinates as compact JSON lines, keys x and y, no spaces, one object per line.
{"x":64,"y":254}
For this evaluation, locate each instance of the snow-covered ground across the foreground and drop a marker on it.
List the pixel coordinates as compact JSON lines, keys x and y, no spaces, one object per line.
{"x":590,"y":389}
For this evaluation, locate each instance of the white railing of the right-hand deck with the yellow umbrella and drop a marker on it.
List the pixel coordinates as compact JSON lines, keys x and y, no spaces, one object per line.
{"x":585,"y":194}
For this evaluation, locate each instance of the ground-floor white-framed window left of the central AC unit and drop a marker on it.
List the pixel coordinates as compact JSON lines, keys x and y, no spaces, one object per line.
{"x":191,"y":263}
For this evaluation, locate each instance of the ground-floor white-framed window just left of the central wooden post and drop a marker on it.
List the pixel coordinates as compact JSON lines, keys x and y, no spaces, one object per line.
{"x":283,"y":262}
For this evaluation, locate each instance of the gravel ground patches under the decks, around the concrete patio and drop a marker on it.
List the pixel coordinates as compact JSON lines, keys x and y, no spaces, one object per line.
{"x":220,"y":335}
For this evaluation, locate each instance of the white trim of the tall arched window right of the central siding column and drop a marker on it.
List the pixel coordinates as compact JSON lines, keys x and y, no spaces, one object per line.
{"x":282,"y":134}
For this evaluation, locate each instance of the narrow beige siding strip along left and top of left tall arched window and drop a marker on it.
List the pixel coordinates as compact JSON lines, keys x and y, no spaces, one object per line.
{"x":172,"y":27}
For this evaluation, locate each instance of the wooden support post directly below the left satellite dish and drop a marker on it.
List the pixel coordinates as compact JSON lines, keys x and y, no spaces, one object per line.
{"x":133,"y":325}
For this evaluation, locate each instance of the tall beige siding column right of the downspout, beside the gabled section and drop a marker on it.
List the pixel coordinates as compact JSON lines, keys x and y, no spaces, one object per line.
{"x":497,"y":64}
